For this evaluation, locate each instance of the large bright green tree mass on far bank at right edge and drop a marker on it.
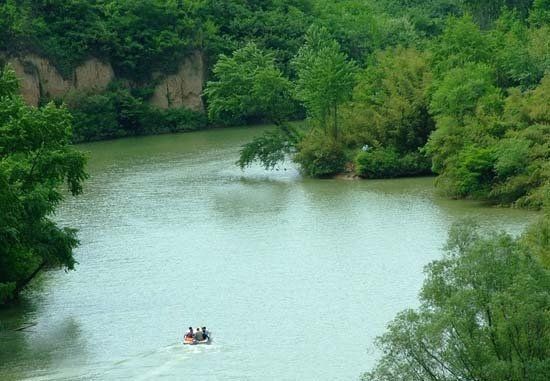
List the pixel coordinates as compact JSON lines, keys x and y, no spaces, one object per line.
{"x":489,"y":103}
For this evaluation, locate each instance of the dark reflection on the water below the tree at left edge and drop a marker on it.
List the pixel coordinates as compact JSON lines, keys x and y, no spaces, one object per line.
{"x":37,"y":349}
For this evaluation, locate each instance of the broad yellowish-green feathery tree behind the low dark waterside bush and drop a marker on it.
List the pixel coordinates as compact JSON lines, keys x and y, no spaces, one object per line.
{"x":389,"y":106}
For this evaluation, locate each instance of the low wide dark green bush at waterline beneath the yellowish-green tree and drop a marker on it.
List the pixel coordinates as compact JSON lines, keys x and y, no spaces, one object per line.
{"x":379,"y":163}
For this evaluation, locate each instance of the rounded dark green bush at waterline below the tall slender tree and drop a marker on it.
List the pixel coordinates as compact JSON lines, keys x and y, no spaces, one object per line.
{"x":319,"y":156}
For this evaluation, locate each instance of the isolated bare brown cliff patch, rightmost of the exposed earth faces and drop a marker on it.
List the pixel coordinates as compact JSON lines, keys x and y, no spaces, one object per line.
{"x":184,"y":88}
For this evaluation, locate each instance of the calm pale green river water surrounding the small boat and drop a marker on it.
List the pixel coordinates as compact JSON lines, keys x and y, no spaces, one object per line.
{"x":294,"y":277}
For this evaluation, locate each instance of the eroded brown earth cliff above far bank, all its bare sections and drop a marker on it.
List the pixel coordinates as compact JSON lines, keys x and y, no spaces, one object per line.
{"x":40,"y":79}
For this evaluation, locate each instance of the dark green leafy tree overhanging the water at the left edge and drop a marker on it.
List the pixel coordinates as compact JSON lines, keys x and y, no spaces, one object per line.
{"x":35,"y":160}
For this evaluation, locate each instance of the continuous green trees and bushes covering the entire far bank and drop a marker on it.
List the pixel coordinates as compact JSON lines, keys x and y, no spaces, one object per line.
{"x":388,"y":89}
